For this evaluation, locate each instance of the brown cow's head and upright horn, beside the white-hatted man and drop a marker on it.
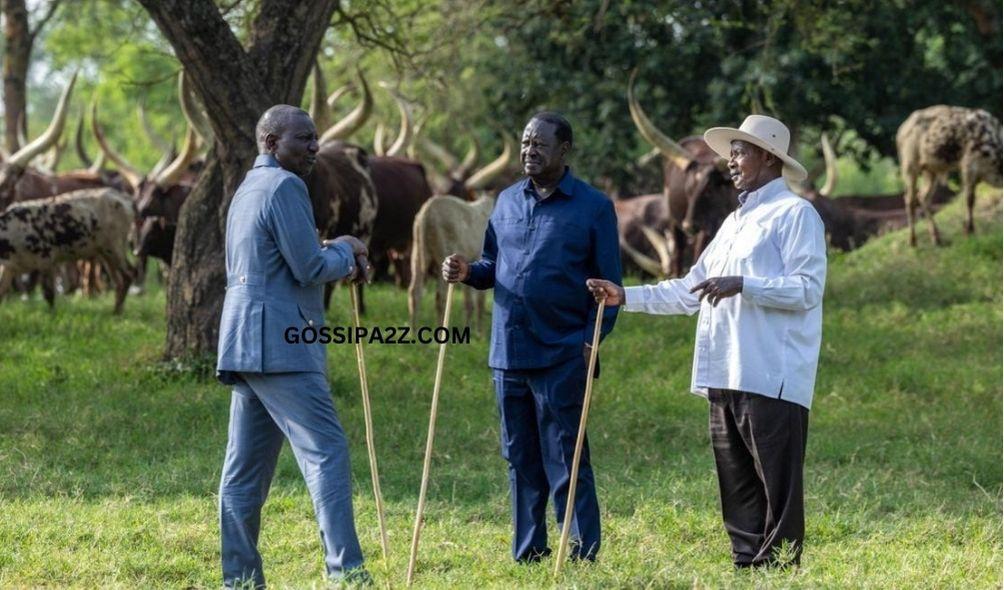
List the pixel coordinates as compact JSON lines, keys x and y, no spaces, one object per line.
{"x":696,"y":185}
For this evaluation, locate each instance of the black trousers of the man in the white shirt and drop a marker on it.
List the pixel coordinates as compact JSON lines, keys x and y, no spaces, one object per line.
{"x":760,"y":446}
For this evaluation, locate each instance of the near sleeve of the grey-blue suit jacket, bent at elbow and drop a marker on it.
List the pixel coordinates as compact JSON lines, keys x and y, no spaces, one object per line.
{"x":292,"y":223}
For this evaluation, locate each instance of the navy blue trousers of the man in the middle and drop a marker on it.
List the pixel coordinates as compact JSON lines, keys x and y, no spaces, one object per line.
{"x":541,"y":412}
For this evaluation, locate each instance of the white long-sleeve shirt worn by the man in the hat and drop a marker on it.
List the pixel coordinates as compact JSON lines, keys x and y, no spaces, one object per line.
{"x":766,"y":341}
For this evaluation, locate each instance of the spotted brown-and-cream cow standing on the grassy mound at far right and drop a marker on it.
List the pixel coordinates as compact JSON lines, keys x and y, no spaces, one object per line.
{"x":936,"y":141}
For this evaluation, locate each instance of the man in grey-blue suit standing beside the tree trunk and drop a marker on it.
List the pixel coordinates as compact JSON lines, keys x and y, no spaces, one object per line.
{"x":277,"y":269}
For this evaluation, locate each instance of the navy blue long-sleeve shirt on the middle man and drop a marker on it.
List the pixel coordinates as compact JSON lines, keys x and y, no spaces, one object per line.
{"x":538,"y":255}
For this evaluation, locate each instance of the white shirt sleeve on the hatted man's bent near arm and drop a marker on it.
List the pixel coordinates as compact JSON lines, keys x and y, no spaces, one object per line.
{"x":803,"y":243}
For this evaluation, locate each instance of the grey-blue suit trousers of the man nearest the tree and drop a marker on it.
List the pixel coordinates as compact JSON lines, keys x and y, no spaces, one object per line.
{"x":265,"y":410}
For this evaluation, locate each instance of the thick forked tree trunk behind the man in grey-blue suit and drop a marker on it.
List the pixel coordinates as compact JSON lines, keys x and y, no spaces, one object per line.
{"x":236,"y":86}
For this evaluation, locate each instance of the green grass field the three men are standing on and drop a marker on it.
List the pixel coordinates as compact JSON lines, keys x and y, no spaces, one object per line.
{"x":110,"y":462}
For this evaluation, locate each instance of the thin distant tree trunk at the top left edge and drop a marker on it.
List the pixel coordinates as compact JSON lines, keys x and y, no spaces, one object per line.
{"x":18,"y":54}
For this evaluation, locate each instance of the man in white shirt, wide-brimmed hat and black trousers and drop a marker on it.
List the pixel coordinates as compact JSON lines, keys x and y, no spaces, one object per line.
{"x":759,"y":287}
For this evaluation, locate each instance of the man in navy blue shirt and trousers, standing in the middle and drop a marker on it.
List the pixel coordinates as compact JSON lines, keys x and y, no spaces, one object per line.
{"x":548,"y":234}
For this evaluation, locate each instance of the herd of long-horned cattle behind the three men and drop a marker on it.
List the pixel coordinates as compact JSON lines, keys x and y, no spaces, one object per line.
{"x":79,"y":225}
